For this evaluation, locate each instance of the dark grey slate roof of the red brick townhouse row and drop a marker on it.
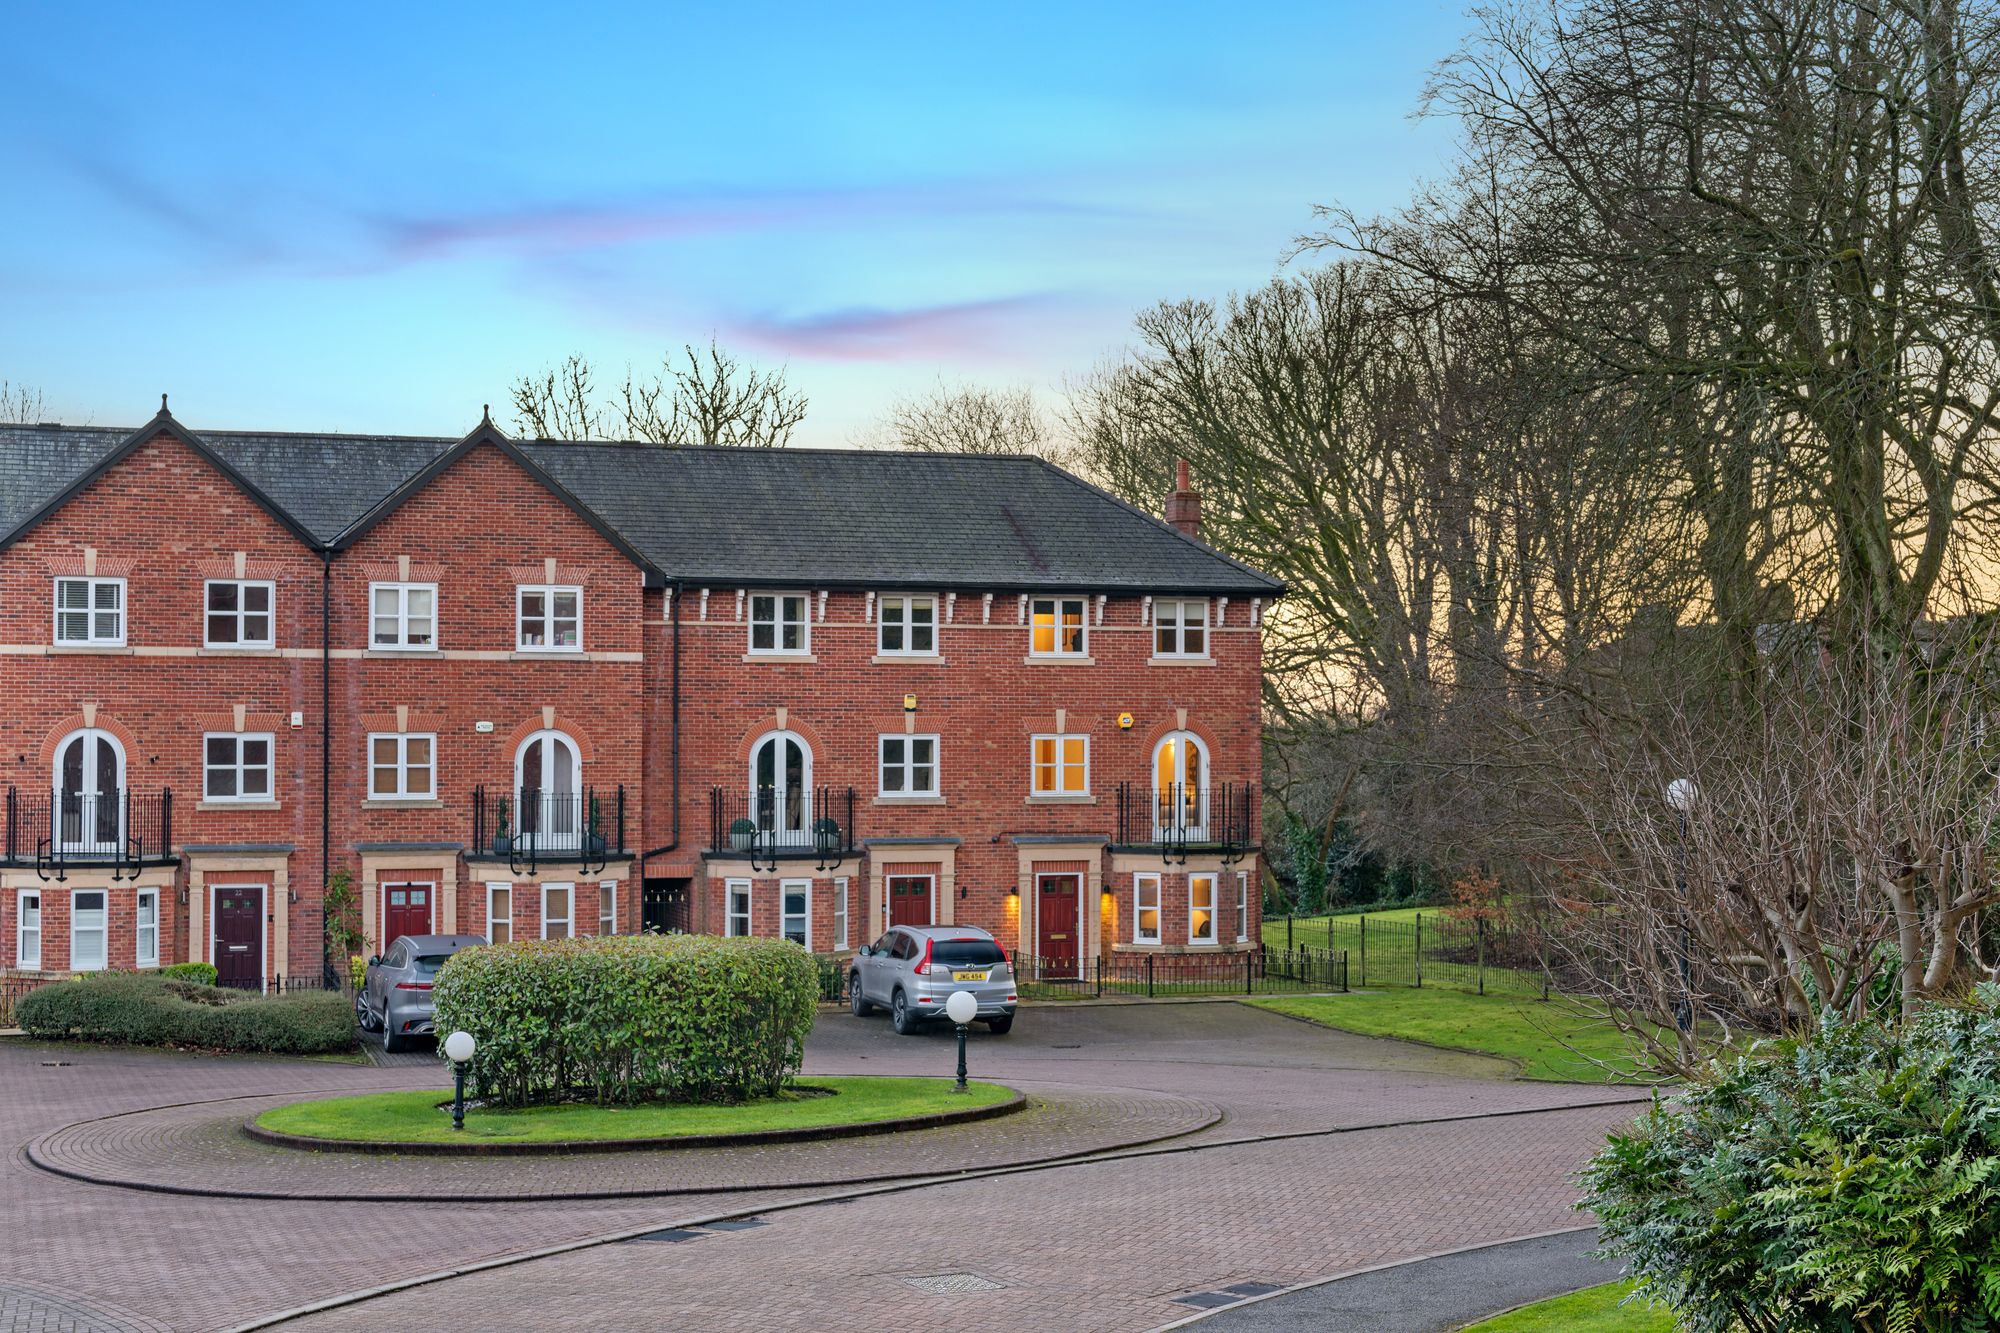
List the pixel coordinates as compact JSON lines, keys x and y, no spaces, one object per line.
{"x":729,"y":515}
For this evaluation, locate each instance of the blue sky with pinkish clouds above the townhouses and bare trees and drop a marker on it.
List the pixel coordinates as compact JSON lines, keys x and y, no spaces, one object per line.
{"x":373,"y":219}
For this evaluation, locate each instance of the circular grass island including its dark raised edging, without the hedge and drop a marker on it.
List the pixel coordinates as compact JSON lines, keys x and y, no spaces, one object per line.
{"x":421,"y":1122}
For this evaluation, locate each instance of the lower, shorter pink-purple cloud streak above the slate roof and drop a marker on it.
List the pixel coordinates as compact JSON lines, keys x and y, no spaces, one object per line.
{"x":871,"y":333}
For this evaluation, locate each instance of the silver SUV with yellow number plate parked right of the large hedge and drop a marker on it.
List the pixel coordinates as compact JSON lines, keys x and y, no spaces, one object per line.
{"x":915,"y":970}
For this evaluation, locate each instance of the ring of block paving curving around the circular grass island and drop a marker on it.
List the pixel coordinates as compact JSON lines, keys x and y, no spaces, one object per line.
{"x":203,"y":1150}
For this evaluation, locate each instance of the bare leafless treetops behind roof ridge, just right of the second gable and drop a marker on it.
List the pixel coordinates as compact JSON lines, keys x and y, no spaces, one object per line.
{"x":705,"y":397}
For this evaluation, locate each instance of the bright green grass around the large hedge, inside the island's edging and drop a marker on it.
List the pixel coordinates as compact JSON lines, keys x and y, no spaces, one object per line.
{"x":415,"y":1118}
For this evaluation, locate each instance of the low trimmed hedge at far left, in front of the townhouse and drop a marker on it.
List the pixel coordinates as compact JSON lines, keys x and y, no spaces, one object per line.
{"x":163,"y":1012}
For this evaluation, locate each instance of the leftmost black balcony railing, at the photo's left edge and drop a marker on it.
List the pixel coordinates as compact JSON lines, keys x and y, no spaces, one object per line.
{"x":59,"y":830}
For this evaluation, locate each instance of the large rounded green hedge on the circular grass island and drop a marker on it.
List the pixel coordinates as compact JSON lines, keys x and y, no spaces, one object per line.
{"x":649,"y":1018}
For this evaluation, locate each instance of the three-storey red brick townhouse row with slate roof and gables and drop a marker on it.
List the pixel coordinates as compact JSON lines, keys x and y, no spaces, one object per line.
{"x":537,"y":690}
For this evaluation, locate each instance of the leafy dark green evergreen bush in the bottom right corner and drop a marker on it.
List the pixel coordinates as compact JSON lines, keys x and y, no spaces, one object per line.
{"x":1843,"y":1184}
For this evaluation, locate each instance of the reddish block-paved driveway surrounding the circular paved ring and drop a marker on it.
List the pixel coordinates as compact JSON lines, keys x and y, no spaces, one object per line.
{"x":1105,"y":1244}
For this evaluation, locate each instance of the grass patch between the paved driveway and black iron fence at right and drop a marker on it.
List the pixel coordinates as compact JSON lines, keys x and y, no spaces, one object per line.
{"x":1547,"y":1040}
